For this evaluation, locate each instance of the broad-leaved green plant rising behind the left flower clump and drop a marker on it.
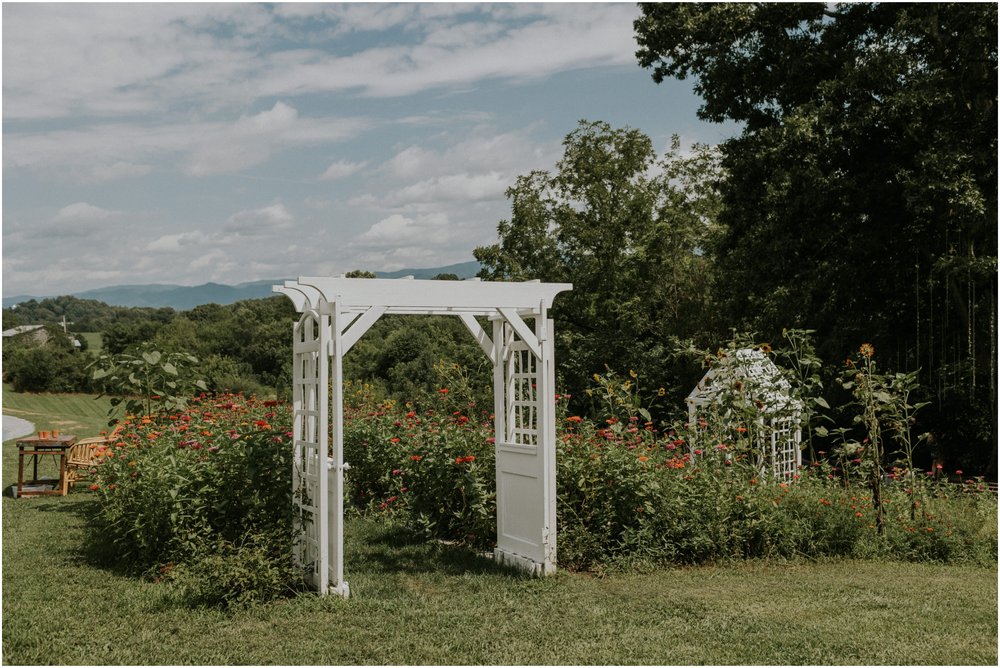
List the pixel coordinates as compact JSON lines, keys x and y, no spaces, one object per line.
{"x":149,"y":381}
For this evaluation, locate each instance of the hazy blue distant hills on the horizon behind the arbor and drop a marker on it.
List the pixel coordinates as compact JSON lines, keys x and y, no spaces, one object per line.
{"x":184,"y":298}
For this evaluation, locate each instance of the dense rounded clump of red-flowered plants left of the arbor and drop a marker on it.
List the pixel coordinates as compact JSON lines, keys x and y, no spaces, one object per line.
{"x":208,"y":491}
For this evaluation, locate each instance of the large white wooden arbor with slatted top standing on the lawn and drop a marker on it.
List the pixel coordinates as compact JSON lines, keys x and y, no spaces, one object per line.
{"x":336,"y":312}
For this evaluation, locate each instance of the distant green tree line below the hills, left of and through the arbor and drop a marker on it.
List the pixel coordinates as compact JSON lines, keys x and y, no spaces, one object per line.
{"x":242,"y":347}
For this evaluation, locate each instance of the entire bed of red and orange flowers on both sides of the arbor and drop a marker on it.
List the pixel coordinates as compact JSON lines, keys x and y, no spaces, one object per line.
{"x":201,"y":496}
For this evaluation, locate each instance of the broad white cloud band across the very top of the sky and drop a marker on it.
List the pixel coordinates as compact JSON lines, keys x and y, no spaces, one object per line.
{"x":175,"y":56}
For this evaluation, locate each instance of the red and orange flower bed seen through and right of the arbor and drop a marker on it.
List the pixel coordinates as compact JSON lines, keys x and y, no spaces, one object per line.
{"x":629,"y":492}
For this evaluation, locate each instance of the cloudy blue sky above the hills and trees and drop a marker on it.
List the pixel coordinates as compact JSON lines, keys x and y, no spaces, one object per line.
{"x":185,"y":143}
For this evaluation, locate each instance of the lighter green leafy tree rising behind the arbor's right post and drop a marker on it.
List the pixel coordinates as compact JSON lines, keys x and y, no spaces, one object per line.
{"x":629,"y":230}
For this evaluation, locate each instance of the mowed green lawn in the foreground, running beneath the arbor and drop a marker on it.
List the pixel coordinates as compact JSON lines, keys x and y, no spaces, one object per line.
{"x":419,"y":603}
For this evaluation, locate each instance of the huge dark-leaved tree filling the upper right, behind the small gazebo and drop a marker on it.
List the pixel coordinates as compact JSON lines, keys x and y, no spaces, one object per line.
{"x":862,"y":193}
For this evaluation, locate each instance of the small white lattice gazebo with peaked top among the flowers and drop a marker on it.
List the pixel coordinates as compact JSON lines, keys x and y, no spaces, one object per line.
{"x":748,"y":375}
